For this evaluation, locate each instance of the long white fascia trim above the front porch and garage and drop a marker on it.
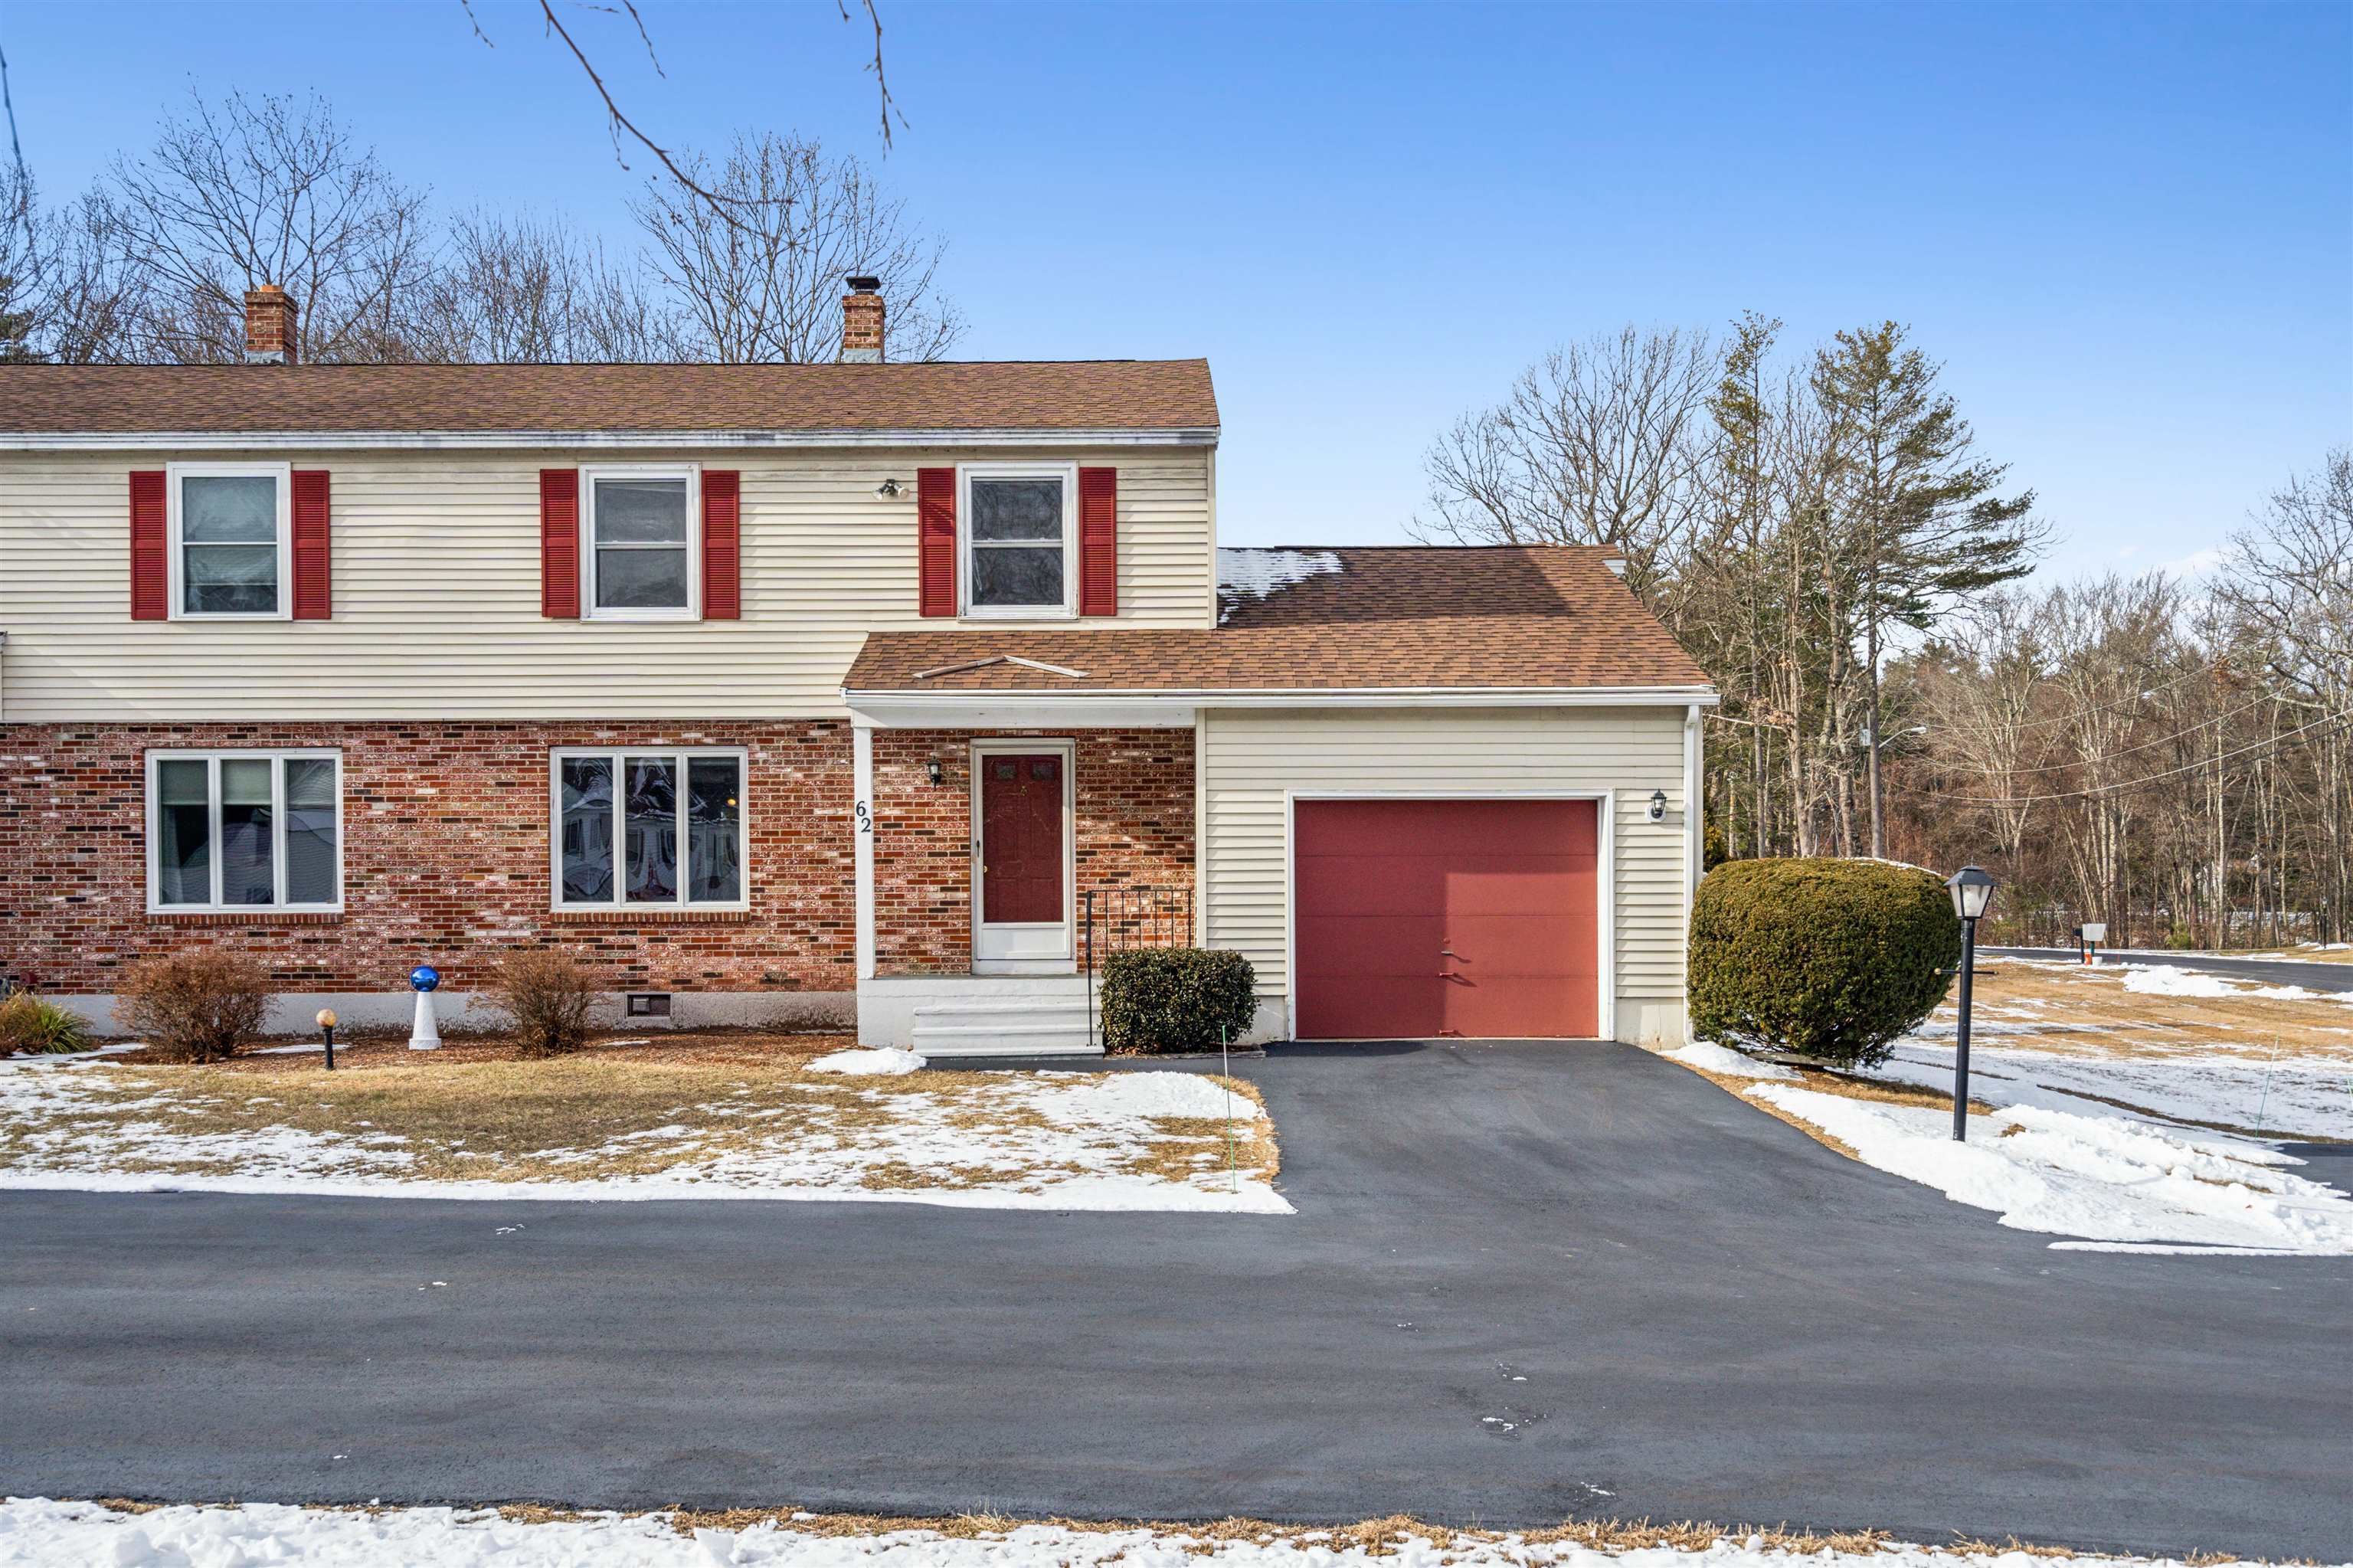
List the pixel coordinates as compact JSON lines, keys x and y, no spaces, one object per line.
{"x":1164,"y":710}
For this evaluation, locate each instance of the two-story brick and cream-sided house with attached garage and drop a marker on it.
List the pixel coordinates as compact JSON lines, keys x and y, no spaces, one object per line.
{"x":801,"y":693}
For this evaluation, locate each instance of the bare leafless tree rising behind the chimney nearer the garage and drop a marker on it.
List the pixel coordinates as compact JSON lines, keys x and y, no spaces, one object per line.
{"x":764,"y":284}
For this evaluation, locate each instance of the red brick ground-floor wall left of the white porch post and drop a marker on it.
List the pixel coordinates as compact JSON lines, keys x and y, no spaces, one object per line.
{"x":446,"y":861}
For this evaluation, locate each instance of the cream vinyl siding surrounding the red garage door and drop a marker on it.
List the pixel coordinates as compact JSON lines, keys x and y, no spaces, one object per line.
{"x":1255,"y":757}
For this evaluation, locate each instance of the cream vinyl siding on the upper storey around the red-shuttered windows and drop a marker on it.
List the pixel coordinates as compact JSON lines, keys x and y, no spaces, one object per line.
{"x":436,"y":592}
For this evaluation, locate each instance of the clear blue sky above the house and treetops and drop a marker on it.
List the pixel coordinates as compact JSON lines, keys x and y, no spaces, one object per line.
{"x":2128,"y":232}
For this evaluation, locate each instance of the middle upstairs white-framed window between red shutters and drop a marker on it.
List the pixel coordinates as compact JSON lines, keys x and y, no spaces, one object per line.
{"x":641,"y":543}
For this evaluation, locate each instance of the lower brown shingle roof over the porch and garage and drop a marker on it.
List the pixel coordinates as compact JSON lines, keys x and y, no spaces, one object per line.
{"x":1361,"y":618}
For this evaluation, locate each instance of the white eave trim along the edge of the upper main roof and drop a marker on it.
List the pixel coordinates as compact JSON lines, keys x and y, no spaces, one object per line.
{"x":458,"y":441}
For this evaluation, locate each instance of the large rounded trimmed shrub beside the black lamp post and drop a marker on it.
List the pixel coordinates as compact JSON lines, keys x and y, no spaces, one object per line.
{"x":1829,"y":959}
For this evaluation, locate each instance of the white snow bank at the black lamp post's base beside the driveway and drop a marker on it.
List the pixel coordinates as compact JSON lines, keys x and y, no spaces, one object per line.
{"x":2095,"y":1178}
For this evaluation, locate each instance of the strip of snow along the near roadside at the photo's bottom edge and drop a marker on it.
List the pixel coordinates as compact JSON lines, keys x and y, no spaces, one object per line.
{"x":41,"y":1534}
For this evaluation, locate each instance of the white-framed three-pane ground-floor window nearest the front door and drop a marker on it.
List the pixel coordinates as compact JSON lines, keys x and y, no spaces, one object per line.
{"x":648,"y":828}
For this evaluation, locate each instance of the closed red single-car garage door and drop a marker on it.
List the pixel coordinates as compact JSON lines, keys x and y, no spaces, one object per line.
{"x":1446,"y":917}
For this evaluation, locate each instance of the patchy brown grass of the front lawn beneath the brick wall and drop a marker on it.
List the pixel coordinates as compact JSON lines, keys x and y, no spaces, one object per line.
{"x":472,"y":1112}
